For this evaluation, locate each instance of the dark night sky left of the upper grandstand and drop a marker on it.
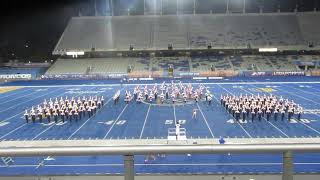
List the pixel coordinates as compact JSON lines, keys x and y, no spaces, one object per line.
{"x":37,"y":24}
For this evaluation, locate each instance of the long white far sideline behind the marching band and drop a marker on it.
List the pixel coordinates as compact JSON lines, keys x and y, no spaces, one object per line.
{"x":112,"y":85}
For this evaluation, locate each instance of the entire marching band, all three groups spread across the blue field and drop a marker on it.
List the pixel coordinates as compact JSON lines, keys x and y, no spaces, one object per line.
{"x":243,"y":107}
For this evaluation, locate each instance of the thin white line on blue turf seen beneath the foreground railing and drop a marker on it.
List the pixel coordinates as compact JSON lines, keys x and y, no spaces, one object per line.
{"x":167,"y":164}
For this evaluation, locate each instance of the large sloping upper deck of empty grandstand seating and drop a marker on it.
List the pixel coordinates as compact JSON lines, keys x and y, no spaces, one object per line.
{"x":189,"y":31}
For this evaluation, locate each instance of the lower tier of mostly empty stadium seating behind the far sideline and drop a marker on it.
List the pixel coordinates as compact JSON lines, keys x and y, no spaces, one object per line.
{"x":155,"y":65}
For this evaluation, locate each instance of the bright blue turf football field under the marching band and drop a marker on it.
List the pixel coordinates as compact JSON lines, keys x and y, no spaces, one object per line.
{"x":144,"y":121}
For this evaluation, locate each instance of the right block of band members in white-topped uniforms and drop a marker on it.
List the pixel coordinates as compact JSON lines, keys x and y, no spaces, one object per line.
{"x":260,"y":107}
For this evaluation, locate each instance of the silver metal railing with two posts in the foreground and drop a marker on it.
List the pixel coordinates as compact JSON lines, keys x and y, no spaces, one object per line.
{"x":128,"y":151}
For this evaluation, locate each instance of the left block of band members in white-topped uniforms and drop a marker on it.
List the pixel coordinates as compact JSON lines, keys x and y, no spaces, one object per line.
{"x":65,"y":109}
